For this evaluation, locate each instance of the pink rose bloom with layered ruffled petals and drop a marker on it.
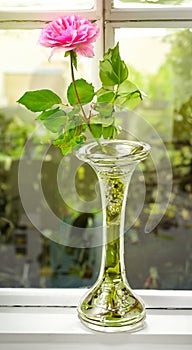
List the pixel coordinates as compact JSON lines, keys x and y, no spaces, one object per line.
{"x":70,"y":33}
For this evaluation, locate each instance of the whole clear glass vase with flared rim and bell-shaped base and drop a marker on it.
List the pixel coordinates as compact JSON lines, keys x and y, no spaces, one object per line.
{"x":110,"y":305}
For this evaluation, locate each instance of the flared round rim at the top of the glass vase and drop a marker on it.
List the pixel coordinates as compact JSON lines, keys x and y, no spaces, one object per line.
{"x":110,"y":151}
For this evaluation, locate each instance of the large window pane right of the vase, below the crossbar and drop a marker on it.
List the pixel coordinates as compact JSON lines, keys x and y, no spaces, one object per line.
{"x":160,"y":62}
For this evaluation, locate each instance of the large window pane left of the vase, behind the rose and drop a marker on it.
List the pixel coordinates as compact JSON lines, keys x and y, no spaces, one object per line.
{"x":30,"y":254}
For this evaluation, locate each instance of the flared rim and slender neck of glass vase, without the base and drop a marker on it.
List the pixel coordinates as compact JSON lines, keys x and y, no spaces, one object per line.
{"x":114,"y":164}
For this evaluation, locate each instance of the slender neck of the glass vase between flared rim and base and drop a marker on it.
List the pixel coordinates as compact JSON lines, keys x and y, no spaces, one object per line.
{"x":114,"y":188}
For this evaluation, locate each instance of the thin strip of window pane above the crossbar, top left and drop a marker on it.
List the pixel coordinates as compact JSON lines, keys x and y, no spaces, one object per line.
{"x":46,"y":4}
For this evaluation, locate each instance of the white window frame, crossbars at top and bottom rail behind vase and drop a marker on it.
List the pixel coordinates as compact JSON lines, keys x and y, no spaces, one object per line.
{"x":112,"y":18}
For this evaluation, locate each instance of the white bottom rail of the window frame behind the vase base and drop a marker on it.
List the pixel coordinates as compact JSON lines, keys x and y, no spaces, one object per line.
{"x":69,"y":297}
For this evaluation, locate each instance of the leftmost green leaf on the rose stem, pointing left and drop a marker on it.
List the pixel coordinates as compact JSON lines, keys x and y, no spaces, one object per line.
{"x":39,"y":100}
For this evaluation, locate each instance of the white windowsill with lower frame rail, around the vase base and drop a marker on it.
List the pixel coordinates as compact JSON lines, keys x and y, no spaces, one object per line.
{"x":168,"y":322}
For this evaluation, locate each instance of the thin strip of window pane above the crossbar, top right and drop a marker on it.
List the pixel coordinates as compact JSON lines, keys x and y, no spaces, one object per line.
{"x":150,"y":3}
